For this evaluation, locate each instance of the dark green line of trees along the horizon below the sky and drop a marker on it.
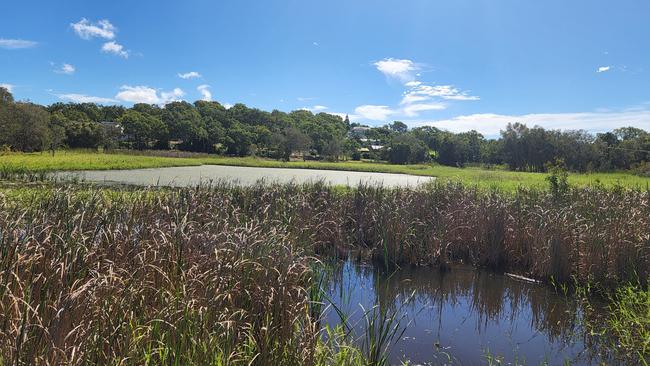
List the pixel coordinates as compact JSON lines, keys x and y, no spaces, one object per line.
{"x":209,"y":127}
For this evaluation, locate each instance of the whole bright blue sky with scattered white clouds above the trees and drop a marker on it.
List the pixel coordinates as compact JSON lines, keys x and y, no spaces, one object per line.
{"x":455,"y":64}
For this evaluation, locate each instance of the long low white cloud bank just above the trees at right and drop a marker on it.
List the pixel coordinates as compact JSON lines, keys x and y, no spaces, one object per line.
{"x":490,"y":124}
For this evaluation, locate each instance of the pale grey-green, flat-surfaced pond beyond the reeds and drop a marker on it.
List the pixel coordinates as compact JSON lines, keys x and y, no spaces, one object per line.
{"x":191,"y":176}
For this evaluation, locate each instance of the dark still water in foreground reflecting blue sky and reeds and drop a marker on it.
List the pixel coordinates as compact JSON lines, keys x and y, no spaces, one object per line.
{"x":461,"y":316}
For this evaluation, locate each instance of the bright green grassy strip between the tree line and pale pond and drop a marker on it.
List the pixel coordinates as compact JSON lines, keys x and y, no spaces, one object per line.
{"x":87,"y":160}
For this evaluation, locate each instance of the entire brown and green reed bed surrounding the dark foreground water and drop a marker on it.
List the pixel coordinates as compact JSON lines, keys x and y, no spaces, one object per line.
{"x":224,"y":275}
